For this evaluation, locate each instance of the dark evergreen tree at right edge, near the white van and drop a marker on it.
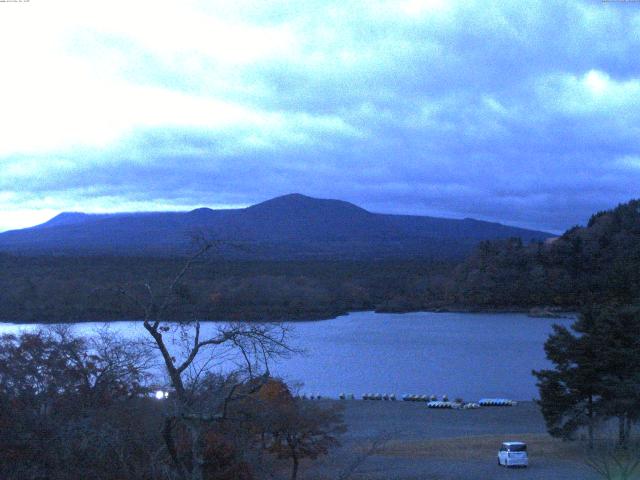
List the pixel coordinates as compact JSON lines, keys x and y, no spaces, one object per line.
{"x":596,"y":373}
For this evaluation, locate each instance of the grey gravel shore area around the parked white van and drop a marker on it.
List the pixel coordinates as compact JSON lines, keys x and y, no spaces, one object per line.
{"x":421,"y":443}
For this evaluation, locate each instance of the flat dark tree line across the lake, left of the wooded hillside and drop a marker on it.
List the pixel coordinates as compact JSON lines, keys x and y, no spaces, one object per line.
{"x":71,"y":289}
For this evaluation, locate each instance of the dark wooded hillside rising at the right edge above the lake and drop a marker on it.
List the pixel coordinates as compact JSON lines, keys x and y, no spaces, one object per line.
{"x":599,"y":262}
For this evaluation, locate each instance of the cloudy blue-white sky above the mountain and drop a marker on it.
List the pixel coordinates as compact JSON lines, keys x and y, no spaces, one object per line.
{"x":526,"y":113}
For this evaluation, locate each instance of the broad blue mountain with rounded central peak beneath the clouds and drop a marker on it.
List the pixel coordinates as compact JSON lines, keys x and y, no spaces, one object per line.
{"x":291,"y":226}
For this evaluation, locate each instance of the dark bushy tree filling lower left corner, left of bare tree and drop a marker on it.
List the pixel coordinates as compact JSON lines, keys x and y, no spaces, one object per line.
{"x":73,"y":407}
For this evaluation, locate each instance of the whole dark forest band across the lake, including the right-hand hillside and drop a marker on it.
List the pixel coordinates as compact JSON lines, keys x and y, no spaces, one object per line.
{"x":598,"y":263}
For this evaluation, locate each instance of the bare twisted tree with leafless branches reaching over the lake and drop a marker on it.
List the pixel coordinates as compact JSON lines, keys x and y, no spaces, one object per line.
{"x":187,"y":361}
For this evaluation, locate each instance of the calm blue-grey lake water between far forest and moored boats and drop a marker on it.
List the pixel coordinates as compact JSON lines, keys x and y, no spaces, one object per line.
{"x":458,"y":354}
